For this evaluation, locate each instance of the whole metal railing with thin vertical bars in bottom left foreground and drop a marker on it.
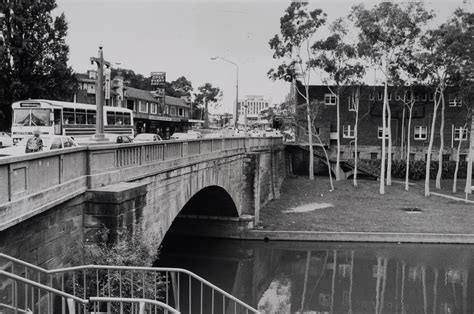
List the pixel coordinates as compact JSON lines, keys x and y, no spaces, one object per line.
{"x":112,"y":288}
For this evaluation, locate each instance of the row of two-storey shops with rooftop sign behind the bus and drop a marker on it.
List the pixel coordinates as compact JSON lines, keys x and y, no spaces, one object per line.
{"x":152,"y":113}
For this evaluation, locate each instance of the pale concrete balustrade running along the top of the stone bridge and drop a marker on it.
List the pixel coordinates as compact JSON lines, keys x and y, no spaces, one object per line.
{"x":33,"y":183}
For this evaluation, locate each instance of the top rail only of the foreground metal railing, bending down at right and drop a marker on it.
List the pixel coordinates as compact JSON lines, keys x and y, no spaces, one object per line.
{"x":132,"y":268}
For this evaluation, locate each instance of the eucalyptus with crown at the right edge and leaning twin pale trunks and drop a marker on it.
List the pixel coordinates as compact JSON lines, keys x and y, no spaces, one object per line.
{"x":446,"y":52}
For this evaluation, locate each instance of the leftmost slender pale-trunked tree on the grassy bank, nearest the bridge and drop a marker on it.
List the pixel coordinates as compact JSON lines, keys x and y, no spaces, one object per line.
{"x":293,"y":46}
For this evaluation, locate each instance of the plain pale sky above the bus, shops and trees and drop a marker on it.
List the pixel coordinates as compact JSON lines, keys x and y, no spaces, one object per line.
{"x":180,"y":36}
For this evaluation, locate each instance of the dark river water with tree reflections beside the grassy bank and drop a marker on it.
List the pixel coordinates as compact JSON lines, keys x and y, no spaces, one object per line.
{"x":312,"y":277}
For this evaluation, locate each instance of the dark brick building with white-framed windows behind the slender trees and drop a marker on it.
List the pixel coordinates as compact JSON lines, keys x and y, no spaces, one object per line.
{"x":370,"y":129}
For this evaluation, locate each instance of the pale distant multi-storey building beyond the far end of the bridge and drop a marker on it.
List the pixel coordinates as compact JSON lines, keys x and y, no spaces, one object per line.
{"x":254,"y":104}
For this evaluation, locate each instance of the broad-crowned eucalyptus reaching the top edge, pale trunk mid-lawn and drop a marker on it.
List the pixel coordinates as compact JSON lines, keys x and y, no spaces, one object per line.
{"x":385,"y":30}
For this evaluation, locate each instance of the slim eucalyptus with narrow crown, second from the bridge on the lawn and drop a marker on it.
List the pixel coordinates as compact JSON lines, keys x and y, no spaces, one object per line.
{"x":339,"y":59}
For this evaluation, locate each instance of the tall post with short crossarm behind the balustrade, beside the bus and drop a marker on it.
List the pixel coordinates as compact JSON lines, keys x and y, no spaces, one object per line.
{"x":100,"y":95}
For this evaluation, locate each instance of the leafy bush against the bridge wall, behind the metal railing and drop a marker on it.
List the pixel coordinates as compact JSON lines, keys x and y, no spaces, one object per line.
{"x":131,"y":249}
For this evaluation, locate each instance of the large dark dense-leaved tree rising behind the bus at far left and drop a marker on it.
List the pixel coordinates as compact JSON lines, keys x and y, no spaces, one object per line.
{"x":34,"y":56}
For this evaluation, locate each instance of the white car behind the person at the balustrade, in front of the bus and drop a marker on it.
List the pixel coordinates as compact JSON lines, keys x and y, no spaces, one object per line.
{"x":50,"y":142}
